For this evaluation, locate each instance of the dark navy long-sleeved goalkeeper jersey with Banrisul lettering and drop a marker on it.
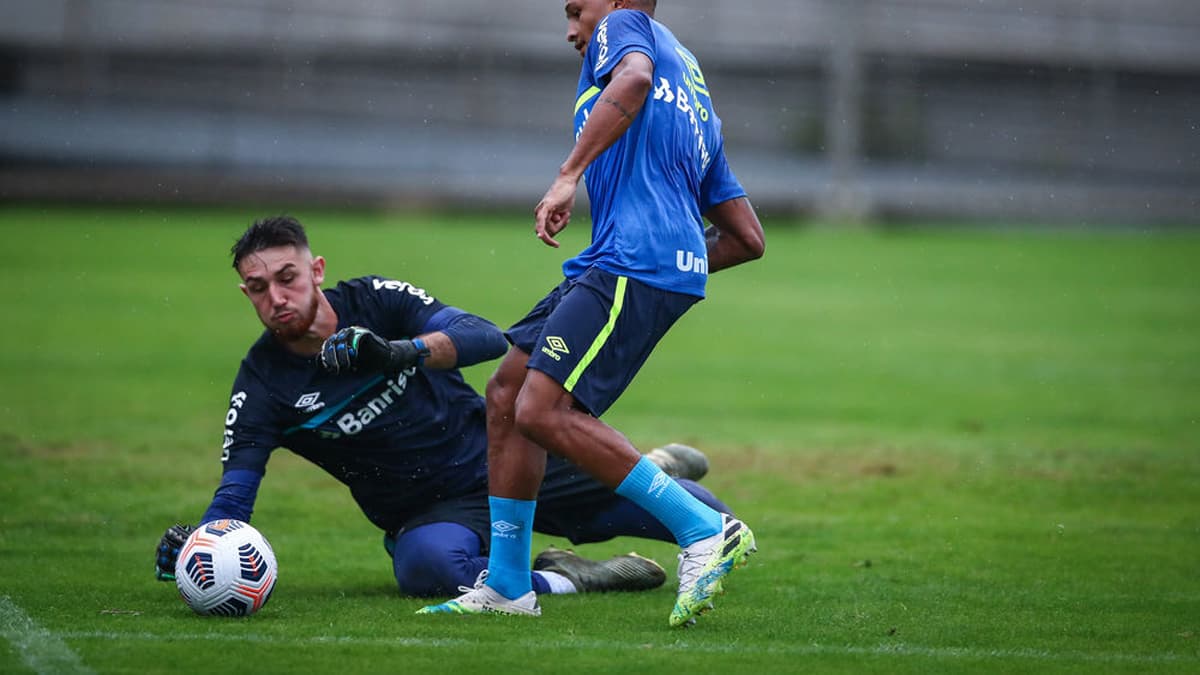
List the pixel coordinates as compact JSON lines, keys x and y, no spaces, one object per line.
{"x":400,"y":444}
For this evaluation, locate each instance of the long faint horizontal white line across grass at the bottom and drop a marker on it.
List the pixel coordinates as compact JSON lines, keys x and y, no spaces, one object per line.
{"x":950,"y":654}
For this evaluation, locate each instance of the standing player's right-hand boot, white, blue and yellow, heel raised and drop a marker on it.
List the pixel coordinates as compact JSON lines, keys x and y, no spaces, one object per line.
{"x":704,"y":565}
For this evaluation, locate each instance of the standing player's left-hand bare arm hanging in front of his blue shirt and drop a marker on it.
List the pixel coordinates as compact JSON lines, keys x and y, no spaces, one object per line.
{"x":617,"y":107}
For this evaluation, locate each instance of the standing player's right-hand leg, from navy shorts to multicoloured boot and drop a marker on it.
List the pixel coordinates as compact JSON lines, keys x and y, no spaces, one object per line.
{"x":597,"y":341}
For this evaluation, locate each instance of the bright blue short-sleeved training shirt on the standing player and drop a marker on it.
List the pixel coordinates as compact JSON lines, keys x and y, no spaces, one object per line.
{"x":651,"y":188}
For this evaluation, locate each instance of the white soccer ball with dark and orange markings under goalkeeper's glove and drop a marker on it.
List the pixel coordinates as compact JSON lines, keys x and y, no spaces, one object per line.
{"x":226,"y":569}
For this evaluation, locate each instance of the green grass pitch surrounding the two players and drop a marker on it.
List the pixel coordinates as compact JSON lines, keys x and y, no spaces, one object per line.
{"x":962,"y":451}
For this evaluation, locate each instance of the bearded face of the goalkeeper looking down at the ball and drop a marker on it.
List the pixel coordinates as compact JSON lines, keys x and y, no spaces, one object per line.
{"x":284,"y":284}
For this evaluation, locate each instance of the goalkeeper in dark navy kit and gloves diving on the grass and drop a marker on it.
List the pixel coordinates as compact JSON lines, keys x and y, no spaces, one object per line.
{"x":363,"y":380}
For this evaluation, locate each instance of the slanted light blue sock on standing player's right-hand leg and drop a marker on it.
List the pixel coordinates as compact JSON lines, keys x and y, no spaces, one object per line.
{"x":688,"y":519}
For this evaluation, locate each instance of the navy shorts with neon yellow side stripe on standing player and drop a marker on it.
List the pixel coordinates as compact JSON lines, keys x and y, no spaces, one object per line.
{"x":593,"y":333}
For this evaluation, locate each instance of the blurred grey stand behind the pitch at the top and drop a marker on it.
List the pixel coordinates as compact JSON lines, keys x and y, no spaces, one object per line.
{"x":1073,"y":112}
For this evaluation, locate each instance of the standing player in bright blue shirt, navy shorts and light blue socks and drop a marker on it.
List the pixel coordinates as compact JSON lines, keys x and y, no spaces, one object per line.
{"x":650,"y":140}
